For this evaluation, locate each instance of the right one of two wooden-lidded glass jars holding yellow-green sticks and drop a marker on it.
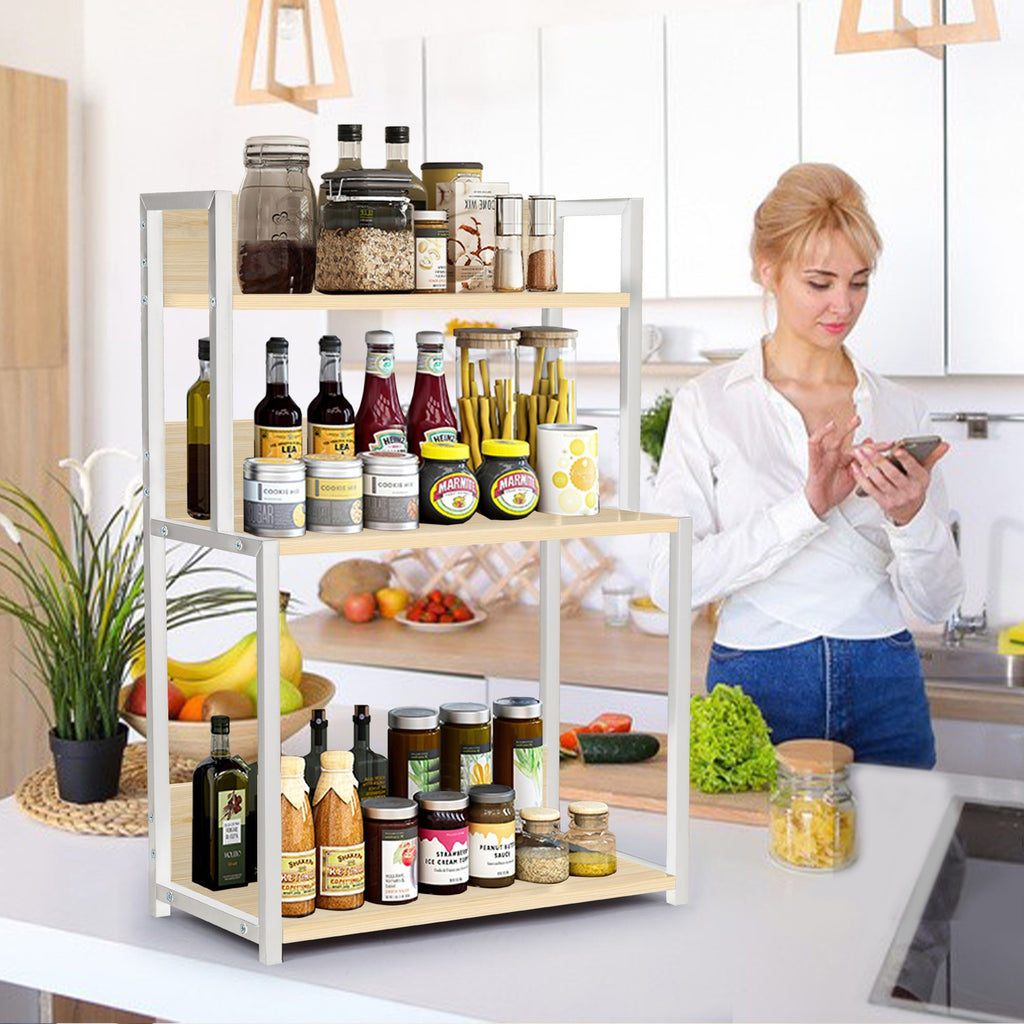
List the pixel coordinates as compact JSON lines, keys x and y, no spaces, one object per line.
{"x":546,"y":387}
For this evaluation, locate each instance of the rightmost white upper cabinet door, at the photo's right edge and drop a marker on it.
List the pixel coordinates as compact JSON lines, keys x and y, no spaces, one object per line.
{"x":986,"y":152}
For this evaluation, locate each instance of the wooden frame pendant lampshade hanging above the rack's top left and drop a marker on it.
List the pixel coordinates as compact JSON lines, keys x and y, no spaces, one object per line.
{"x":305,"y":97}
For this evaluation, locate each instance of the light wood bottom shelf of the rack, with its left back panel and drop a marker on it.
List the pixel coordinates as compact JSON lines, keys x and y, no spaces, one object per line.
{"x":631,"y":879}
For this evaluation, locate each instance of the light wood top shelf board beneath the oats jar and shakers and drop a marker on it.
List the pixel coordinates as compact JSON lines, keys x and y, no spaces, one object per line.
{"x":440,"y":302}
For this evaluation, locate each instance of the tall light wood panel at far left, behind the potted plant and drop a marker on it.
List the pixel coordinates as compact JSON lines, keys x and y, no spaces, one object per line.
{"x":34,"y":385}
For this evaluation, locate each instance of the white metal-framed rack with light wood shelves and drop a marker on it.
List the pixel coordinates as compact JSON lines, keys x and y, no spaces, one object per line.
{"x":188,"y":263}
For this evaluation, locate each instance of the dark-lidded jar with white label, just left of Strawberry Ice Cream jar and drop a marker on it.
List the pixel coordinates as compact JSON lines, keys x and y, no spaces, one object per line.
{"x":392,"y":830}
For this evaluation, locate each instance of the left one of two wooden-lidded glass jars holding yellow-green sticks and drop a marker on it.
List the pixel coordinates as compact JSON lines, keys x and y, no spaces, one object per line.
{"x":487,"y":387}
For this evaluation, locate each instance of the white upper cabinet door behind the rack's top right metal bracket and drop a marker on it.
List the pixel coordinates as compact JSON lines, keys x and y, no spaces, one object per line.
{"x":603,"y":103}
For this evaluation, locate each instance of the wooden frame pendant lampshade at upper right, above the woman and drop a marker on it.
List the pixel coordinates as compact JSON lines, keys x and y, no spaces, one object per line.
{"x":905,"y":34}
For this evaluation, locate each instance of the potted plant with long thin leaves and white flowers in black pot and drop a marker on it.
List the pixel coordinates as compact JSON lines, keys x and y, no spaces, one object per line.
{"x":82,"y":612}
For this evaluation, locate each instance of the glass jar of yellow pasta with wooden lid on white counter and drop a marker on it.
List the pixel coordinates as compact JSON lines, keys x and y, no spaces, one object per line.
{"x":813,"y":815}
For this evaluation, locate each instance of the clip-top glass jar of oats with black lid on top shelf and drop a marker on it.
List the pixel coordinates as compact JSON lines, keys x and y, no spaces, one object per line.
{"x":366,"y":241}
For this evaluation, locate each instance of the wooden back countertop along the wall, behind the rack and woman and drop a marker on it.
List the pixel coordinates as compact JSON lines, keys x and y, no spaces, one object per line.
{"x":507,"y":646}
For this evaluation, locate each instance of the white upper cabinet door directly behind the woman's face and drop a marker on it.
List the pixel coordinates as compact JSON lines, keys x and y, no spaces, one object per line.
{"x":879,"y":116}
